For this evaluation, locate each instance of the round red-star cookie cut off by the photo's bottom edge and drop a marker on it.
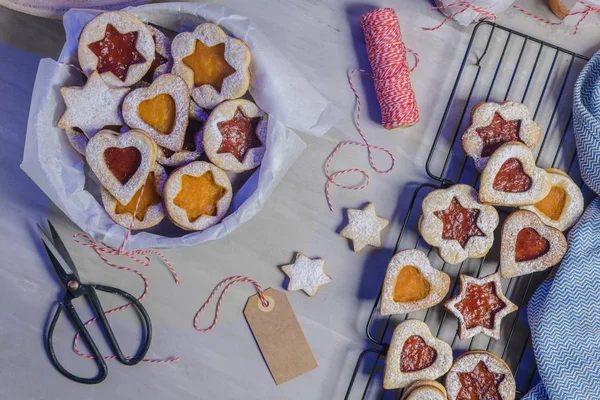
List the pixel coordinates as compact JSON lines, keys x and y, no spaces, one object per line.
{"x":480,"y":375}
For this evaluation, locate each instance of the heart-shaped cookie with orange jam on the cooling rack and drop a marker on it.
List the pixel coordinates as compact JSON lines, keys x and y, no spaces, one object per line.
{"x":412,"y":284}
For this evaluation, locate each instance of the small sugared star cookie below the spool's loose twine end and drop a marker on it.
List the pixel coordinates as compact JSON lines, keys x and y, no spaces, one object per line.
{"x":364,"y":227}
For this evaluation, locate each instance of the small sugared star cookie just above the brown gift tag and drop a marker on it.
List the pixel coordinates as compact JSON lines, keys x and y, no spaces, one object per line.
{"x":306,"y":274}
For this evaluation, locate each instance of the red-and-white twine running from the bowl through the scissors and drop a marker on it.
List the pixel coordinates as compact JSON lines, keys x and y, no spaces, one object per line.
{"x":140,"y":257}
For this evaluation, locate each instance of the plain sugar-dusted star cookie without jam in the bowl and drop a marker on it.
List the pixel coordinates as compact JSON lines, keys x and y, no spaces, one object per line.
{"x":93,"y":106}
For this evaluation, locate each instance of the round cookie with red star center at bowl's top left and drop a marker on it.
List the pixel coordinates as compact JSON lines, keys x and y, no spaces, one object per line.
{"x":117,"y":45}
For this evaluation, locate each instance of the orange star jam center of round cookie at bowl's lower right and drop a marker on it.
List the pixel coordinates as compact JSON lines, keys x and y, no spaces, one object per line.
{"x":199,"y":195}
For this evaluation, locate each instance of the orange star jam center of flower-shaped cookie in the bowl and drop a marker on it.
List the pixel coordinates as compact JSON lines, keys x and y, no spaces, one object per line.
{"x":209,"y":65}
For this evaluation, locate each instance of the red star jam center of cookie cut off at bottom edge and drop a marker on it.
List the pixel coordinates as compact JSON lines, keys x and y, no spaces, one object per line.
{"x":480,"y":383}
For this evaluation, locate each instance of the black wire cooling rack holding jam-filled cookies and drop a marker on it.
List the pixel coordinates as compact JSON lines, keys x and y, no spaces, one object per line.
{"x":499,"y":64}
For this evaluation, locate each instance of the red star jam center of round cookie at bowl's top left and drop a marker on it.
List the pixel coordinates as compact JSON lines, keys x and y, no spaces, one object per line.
{"x":116,"y":52}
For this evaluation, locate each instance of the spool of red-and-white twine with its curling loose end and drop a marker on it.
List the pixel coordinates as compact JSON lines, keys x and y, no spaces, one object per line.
{"x":391,"y":77}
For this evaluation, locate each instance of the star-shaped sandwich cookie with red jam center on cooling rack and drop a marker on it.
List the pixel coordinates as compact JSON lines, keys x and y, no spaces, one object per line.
{"x":480,"y":306}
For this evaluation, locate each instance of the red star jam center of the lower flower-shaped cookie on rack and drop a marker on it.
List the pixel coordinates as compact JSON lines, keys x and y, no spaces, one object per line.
{"x":460,"y":223}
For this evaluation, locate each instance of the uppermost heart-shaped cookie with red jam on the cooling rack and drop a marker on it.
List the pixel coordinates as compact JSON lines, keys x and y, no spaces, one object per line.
{"x":511,"y":178}
